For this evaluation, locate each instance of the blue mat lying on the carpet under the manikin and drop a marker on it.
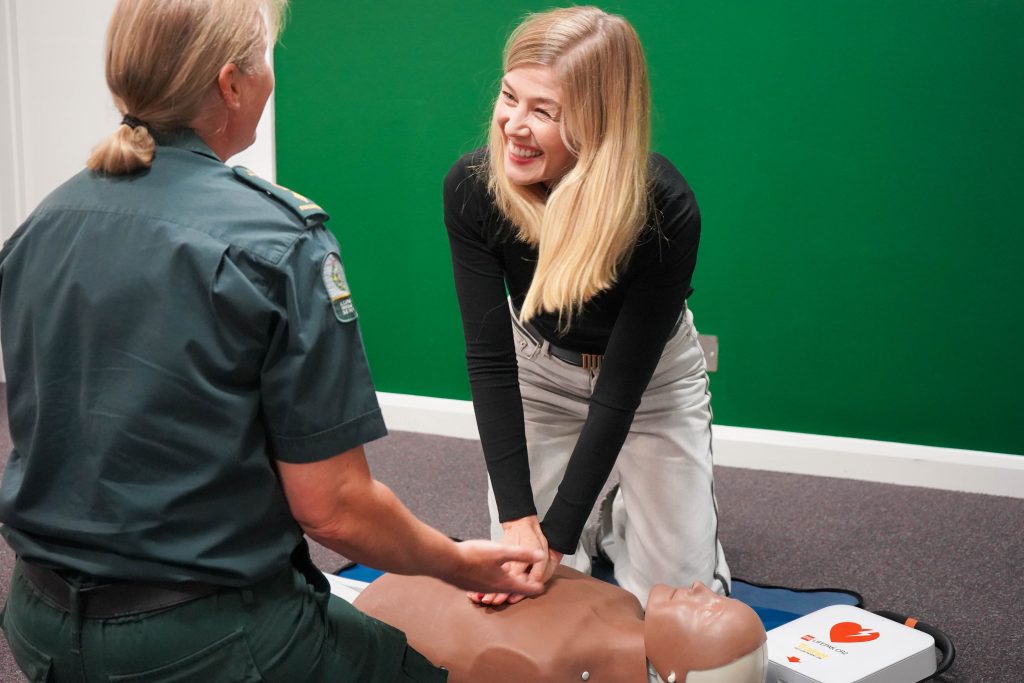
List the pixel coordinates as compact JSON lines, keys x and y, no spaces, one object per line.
{"x":776,"y":606}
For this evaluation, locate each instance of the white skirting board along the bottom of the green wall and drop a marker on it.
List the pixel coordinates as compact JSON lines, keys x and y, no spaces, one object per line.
{"x":886,"y":462}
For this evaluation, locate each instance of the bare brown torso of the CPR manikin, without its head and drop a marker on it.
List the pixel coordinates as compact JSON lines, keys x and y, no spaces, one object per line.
{"x":536,"y":641}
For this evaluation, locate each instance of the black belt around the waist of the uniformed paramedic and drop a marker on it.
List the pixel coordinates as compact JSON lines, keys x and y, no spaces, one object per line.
{"x":110,"y":601}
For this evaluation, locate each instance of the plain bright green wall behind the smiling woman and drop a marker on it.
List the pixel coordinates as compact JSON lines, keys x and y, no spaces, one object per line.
{"x":859,"y":167}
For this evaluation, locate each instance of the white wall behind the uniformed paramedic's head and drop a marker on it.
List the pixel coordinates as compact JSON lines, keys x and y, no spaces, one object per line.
{"x":55,"y":106}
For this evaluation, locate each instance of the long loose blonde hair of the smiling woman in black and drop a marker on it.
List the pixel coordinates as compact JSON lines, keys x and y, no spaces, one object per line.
{"x":587,"y":227}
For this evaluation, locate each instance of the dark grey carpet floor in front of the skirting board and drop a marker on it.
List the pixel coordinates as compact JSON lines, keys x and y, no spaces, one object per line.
{"x":952,"y":560}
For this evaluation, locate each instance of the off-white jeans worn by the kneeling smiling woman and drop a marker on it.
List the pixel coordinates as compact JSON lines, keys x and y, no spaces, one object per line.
{"x":662,"y":527}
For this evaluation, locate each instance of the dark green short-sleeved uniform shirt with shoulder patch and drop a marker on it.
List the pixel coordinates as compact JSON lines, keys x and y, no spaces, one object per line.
{"x":166,"y":337}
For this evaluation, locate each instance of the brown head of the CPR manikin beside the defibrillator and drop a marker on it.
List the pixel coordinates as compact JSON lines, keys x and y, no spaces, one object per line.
{"x":694,"y":635}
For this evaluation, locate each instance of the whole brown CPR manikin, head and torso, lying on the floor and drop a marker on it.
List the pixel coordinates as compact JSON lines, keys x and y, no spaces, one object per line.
{"x":581,"y":629}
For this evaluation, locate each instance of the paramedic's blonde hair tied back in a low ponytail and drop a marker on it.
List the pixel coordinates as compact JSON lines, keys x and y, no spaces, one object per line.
{"x":162,"y":59}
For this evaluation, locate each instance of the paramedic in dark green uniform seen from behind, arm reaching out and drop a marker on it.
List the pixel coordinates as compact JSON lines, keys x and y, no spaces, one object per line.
{"x":189,"y":394}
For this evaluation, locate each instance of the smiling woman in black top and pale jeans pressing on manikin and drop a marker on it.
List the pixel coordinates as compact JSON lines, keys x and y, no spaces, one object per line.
{"x":593,"y":365}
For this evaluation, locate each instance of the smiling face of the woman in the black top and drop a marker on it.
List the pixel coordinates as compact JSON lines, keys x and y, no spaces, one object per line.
{"x":528,"y":114}
